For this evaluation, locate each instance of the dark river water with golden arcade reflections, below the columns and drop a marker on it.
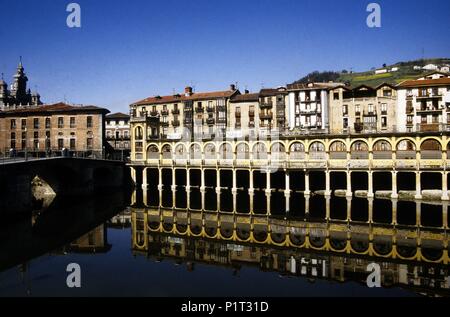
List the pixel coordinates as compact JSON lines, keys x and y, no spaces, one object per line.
{"x":125,"y":247}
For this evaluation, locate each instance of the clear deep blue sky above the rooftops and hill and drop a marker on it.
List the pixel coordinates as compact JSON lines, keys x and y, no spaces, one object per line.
{"x":128,"y":50}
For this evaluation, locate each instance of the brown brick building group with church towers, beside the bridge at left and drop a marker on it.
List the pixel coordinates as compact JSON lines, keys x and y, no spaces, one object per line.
{"x":30,"y":127}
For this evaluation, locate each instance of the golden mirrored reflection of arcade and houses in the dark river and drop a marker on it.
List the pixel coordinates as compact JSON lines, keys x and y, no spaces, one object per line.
{"x":413,"y":256}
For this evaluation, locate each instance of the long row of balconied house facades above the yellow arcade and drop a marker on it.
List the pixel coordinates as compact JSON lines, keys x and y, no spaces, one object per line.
{"x":420,"y":105}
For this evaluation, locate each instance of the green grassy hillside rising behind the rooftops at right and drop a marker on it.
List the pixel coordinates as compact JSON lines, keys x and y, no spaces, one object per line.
{"x":406,"y":72}
